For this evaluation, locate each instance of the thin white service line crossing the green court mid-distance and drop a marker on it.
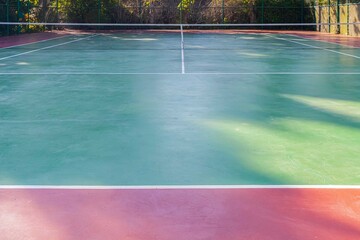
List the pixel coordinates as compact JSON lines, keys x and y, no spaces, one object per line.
{"x":195,"y":73}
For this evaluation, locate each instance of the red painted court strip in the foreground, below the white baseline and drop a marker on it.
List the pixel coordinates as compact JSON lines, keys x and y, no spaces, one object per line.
{"x":257,"y":214}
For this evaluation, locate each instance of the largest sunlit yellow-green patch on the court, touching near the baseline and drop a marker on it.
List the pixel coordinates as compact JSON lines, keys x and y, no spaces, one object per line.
{"x":293,"y":150}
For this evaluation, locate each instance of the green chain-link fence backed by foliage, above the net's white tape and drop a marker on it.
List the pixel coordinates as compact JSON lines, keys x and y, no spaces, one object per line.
{"x":153,"y":11}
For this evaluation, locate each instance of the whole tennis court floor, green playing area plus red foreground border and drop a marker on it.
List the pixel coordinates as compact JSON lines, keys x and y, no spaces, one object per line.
{"x":180,"y":134}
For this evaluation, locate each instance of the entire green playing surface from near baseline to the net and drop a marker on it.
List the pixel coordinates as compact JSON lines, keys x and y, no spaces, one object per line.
{"x":126,"y":109}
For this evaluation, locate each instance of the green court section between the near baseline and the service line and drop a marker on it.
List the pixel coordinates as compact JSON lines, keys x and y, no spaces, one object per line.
{"x":181,"y":130}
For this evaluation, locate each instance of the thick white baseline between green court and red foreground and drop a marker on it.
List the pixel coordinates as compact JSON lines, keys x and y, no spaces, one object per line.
{"x":178,"y":187}
